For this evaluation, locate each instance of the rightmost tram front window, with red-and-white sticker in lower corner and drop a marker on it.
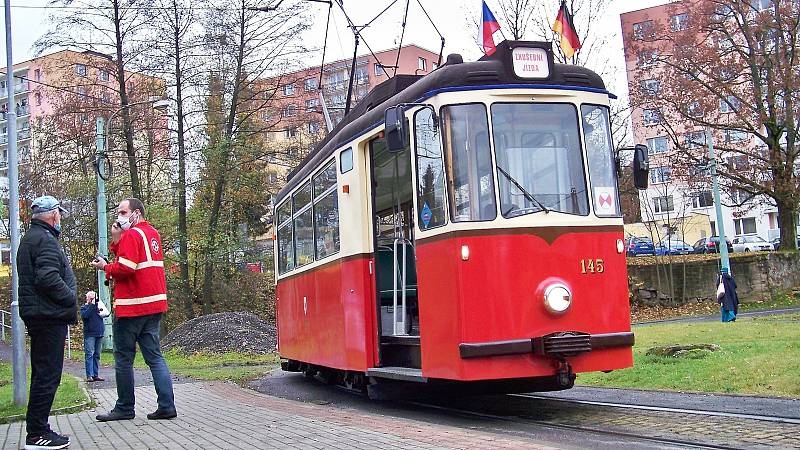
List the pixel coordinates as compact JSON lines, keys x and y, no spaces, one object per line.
{"x":602,"y":165}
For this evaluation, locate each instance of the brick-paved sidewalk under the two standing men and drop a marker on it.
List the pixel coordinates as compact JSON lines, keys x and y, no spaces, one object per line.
{"x":224,"y":416}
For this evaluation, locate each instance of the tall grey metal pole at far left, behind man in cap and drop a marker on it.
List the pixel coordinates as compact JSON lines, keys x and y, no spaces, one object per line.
{"x":17,"y":327}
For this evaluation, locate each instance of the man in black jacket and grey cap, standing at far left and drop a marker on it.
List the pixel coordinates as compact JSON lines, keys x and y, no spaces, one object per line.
{"x":48,"y":302}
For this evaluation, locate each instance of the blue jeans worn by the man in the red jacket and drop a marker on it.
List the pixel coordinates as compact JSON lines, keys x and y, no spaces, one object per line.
{"x":143,"y":330}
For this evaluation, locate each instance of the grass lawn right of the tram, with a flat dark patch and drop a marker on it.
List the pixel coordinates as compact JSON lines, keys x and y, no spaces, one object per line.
{"x":758,"y":356}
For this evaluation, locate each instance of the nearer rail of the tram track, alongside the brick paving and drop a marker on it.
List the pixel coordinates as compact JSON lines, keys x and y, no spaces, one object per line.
{"x":613,"y":433}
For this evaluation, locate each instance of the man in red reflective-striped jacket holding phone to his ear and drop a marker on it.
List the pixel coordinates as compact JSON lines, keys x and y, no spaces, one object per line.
{"x":140,"y":300}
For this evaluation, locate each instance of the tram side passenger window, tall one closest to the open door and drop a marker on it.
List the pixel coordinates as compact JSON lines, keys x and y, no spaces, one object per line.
{"x":326,"y":212}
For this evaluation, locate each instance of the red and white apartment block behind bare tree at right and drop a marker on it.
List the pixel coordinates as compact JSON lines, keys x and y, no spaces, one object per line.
{"x":679,"y":197}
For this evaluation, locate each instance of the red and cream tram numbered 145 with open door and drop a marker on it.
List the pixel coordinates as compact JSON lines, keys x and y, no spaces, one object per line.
{"x":460,"y":230}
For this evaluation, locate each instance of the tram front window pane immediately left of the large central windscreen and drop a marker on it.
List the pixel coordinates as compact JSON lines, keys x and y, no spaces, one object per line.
{"x":469,"y":163}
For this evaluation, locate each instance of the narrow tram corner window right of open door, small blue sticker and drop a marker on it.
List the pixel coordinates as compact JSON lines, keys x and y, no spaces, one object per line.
{"x":430,"y":171}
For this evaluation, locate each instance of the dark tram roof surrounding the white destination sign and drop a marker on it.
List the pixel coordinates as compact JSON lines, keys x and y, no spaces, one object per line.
{"x":495,"y":71}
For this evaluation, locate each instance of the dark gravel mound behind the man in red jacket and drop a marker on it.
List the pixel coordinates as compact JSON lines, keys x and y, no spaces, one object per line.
{"x":240,"y":332}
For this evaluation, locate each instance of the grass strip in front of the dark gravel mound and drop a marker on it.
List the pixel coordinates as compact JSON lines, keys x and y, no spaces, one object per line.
{"x":236,"y":367}
